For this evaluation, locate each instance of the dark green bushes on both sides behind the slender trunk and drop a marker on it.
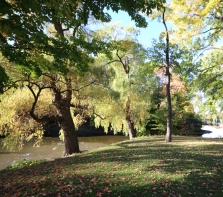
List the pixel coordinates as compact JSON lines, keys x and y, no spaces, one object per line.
{"x":182,"y":111}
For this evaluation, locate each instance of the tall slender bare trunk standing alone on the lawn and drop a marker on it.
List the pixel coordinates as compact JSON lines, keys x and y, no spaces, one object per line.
{"x":167,"y":66}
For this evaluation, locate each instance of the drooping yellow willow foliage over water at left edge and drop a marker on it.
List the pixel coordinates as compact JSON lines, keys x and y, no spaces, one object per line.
{"x":15,"y":121}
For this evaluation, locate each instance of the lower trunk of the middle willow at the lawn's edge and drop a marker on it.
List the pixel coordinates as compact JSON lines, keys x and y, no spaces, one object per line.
{"x":129,"y":122}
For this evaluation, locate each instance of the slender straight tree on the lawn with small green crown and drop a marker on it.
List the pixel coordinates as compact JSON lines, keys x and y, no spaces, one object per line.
{"x":170,"y":57}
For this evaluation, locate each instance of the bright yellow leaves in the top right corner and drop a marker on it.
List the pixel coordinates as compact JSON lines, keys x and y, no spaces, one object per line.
{"x":190,"y":17}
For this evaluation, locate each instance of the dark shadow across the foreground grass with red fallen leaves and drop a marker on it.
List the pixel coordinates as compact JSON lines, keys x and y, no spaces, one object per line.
{"x":112,"y":184}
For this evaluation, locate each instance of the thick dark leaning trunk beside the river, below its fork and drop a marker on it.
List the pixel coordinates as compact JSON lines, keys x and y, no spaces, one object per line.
{"x":70,"y":136}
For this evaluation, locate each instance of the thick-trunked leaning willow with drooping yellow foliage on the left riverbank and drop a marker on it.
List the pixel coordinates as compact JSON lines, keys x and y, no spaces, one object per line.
{"x":49,"y":98}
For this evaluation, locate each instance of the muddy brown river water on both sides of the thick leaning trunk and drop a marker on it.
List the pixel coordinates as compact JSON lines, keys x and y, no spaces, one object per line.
{"x":54,"y":148}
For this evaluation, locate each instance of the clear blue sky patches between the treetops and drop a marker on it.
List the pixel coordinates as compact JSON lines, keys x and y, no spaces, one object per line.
{"x":146,"y":34}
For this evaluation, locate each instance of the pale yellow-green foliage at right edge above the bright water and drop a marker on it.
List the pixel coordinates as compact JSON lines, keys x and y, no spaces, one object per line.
{"x":209,"y":82}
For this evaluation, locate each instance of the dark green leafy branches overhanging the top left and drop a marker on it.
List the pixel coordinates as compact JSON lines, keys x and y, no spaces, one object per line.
{"x":24,"y":31}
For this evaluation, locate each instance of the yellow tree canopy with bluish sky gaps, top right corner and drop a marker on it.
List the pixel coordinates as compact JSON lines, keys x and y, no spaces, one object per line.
{"x":201,"y":19}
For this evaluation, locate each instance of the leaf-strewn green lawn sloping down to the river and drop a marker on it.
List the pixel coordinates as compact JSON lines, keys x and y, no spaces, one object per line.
{"x":189,"y":166}
